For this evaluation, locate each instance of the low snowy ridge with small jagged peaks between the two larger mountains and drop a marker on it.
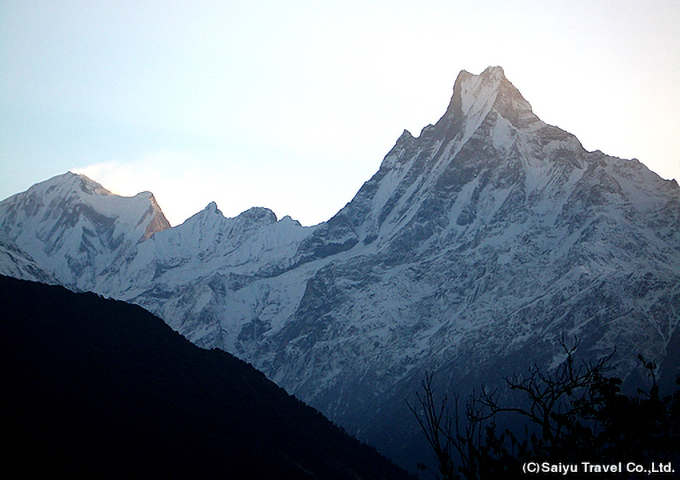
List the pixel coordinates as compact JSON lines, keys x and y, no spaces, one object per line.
{"x":199,"y":276}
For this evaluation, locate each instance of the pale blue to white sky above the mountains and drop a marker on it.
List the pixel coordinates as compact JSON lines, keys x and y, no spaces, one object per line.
{"x":292,"y":105}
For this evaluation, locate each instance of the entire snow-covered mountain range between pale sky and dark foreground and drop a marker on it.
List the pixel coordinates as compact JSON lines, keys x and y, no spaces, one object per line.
{"x":471,"y":252}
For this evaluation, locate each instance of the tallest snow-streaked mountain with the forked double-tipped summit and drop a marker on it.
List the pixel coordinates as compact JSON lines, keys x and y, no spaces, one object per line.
{"x":472,"y":250}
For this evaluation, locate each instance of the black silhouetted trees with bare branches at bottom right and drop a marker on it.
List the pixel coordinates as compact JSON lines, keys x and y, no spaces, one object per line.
{"x":571,"y":414}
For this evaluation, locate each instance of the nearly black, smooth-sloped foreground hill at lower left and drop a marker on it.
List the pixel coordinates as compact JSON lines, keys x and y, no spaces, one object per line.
{"x":100,"y":388}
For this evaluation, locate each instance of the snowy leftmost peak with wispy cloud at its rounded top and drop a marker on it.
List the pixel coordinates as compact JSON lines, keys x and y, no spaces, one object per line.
{"x":76,"y":229}
